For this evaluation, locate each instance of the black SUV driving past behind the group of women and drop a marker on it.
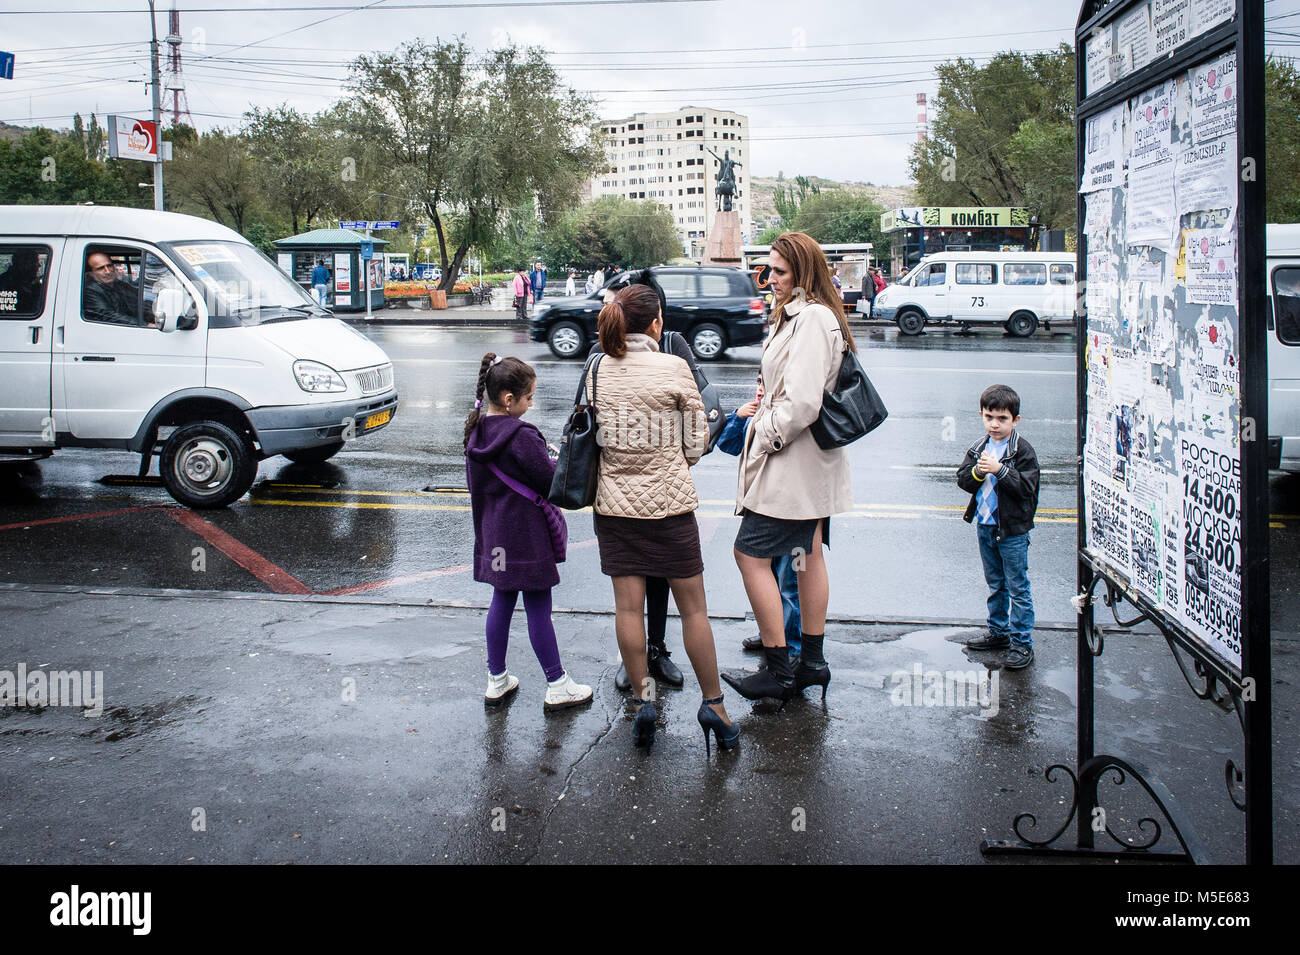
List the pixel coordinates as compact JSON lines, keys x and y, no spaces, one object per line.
{"x":713,"y":309}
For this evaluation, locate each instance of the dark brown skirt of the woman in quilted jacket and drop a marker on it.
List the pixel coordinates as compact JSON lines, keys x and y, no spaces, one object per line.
{"x":656,"y":548}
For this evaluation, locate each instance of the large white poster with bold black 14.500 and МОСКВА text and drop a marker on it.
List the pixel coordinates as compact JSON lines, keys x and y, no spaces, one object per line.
{"x":1212,"y":544}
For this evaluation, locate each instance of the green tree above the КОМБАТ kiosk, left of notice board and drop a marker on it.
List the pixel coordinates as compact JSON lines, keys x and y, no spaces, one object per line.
{"x":1003,"y":136}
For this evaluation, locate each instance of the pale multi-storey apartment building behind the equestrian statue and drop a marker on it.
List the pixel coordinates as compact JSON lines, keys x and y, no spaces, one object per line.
{"x":666,"y":158}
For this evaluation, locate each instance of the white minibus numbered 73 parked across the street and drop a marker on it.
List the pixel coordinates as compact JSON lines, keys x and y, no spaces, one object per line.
{"x":1016,"y":290}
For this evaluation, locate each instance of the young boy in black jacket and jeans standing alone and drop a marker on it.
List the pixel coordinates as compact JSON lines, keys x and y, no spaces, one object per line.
{"x":1002,"y":474}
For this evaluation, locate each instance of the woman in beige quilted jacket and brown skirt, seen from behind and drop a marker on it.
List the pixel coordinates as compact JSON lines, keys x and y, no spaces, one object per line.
{"x":652,"y":428}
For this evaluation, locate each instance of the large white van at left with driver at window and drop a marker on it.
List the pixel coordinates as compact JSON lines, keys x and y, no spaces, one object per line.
{"x":172,"y":336}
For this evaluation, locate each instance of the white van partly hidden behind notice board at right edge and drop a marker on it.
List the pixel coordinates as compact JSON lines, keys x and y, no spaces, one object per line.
{"x":1284,"y":255}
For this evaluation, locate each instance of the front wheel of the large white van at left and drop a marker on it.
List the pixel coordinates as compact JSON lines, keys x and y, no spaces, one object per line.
{"x":207,"y":466}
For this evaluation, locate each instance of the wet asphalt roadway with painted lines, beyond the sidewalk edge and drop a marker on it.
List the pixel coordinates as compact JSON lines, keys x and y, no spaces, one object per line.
{"x":367,"y":523}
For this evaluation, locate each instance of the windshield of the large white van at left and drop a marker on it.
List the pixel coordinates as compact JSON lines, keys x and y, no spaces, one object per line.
{"x":242,"y":286}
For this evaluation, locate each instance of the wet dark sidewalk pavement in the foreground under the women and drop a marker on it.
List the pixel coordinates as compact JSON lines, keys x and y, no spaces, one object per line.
{"x":266,"y":730}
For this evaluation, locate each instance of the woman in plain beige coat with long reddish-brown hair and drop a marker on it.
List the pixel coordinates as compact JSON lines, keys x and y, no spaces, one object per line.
{"x":788,"y":487}
